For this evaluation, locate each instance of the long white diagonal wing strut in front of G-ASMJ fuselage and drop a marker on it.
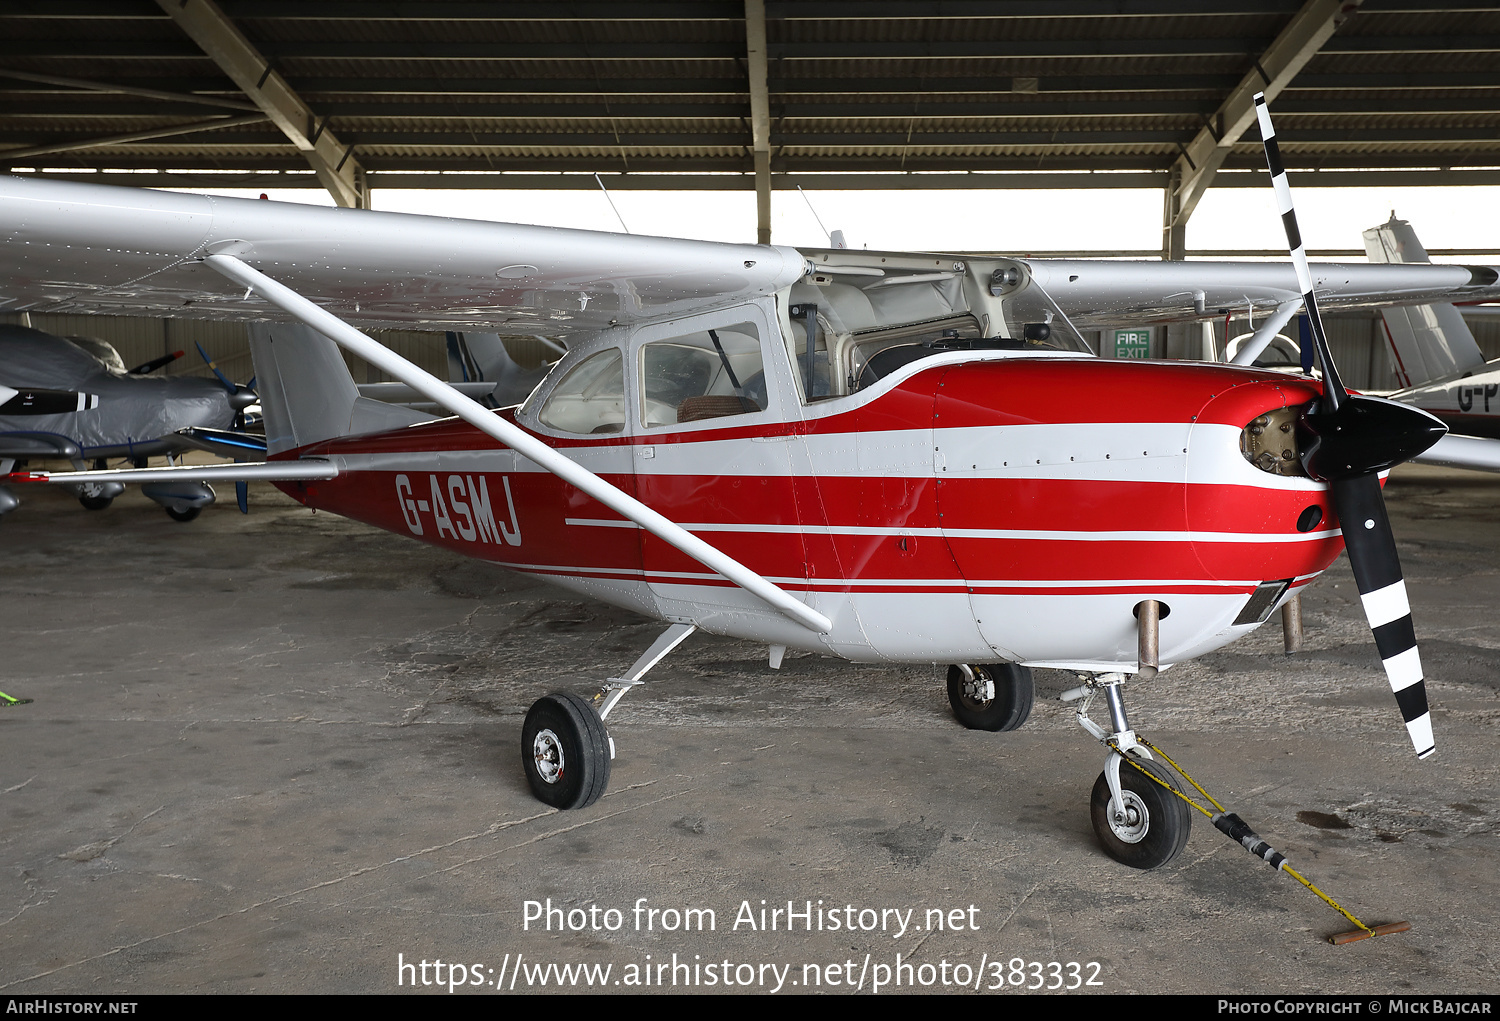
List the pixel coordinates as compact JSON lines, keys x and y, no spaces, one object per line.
{"x":517,"y":439}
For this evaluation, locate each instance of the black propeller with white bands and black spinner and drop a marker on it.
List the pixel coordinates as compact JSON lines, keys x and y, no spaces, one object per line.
{"x":1348,"y":440}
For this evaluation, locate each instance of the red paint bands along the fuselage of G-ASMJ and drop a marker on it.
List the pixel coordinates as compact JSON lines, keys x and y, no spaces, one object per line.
{"x":973,"y":395}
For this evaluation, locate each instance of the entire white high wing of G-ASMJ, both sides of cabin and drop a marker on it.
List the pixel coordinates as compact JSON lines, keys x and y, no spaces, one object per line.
{"x":98,"y":250}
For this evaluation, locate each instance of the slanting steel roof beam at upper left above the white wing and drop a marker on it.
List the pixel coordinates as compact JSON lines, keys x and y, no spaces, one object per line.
{"x":208,"y":26}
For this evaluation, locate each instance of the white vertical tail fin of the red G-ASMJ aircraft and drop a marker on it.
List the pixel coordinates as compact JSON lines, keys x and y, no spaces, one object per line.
{"x":308,"y":394}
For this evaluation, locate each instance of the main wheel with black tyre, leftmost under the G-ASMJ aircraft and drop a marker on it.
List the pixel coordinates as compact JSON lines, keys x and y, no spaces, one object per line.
{"x":565,"y":750}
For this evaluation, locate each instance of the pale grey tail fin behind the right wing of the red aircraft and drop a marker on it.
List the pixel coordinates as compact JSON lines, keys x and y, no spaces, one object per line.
{"x":1427,"y":341}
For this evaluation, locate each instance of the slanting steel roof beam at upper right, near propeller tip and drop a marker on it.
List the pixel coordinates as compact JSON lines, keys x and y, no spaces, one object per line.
{"x":1193,"y":172}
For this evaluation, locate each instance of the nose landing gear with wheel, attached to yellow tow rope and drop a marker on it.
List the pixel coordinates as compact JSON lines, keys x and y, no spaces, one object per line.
{"x":1138,"y":818}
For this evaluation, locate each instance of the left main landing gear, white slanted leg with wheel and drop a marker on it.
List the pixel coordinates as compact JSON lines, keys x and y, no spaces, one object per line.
{"x":566,"y":752}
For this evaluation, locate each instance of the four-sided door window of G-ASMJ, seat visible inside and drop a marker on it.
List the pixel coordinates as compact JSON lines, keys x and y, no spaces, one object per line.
{"x":715,"y":374}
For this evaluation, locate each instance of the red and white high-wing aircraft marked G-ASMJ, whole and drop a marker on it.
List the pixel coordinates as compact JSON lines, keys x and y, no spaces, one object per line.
{"x":881,"y":458}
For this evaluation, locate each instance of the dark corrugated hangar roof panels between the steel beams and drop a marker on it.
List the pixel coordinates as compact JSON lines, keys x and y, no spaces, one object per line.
{"x":658,"y":94}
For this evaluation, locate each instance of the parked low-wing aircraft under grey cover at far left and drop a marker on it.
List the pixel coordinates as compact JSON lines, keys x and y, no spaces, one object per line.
{"x":73,"y":400}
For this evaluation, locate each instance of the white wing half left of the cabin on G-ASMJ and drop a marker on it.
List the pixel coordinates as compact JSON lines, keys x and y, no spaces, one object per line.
{"x":98,"y":250}
